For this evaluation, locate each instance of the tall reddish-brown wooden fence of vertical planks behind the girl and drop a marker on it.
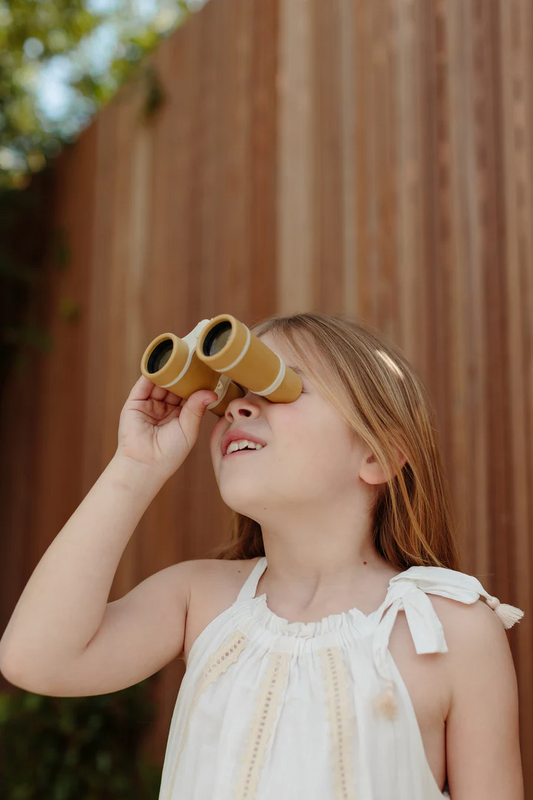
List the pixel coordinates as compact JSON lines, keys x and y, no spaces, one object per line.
{"x":373,"y":158}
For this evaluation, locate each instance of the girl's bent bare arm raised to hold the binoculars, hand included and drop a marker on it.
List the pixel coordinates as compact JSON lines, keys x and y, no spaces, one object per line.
{"x":64,"y":604}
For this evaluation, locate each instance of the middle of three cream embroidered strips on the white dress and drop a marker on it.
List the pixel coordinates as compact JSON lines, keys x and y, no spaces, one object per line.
{"x":263,"y":723}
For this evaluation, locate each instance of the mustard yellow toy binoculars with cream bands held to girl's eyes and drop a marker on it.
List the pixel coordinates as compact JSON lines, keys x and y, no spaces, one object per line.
{"x":219,"y":354}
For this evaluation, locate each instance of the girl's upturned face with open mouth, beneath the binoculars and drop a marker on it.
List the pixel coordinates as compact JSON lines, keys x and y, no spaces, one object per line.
{"x":310,"y":463}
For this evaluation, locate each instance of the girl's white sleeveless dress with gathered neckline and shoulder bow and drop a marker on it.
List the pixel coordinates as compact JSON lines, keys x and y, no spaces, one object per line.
{"x":272,"y":710}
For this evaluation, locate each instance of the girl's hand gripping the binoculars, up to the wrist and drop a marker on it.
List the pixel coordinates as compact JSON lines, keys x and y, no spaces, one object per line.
{"x":158,"y":429}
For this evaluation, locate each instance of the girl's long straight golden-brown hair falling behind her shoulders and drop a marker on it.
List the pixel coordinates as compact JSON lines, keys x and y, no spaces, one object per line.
{"x":377,"y":392}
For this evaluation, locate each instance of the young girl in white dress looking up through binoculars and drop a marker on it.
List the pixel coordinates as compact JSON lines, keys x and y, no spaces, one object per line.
{"x":333,"y":649}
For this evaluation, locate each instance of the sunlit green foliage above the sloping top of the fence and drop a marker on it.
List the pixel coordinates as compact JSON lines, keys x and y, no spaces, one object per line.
{"x":32,"y":33}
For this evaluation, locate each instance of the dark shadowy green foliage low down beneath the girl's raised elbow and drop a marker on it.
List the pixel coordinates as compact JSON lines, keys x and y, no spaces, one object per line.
{"x":77,"y":748}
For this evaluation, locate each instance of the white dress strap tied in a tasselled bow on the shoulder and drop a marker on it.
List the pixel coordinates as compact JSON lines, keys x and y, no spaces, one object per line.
{"x":408,"y":592}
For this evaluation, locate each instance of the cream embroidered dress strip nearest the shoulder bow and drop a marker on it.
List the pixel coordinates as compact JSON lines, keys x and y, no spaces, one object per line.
{"x":339,"y":714}
